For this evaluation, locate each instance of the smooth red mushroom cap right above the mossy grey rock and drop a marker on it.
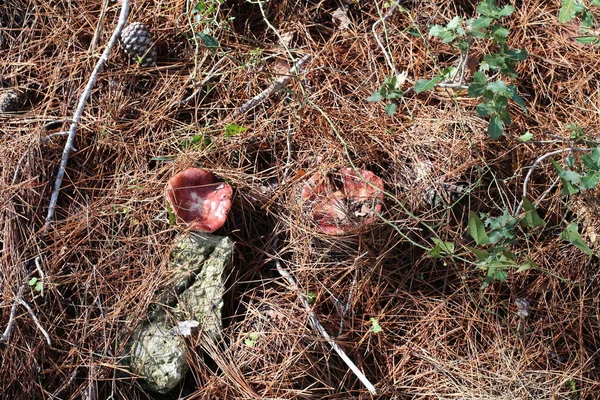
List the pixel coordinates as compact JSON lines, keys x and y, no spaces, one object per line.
{"x":199,"y":200}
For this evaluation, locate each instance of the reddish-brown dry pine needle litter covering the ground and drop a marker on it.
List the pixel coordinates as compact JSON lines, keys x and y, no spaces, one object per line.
{"x":417,"y":327}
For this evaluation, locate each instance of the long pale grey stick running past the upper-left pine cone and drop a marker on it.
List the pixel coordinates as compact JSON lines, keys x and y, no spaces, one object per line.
{"x":79,"y":111}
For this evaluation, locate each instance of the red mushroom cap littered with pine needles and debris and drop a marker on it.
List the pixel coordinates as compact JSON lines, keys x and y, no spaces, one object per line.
{"x":344,"y":203}
